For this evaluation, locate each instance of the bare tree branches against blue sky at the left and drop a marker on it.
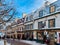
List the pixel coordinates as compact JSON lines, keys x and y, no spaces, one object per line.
{"x":6,"y":11}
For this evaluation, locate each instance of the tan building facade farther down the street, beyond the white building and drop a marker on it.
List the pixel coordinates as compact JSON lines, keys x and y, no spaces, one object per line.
{"x":15,"y":30}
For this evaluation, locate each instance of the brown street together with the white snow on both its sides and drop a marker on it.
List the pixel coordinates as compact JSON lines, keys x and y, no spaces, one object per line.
{"x":21,"y":42}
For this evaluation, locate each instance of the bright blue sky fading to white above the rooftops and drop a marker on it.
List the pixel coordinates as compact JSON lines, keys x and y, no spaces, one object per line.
{"x":27,"y":6}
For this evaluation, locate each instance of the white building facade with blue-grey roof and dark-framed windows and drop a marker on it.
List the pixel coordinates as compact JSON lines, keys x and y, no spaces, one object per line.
{"x":44,"y":21}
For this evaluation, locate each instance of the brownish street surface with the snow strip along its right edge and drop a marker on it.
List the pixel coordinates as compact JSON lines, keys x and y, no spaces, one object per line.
{"x":23,"y":42}
